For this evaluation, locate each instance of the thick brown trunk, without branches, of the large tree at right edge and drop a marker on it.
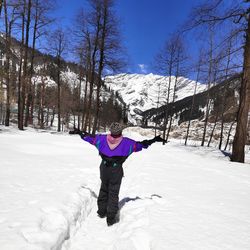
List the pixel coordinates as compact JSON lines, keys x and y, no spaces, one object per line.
{"x":238,"y":153}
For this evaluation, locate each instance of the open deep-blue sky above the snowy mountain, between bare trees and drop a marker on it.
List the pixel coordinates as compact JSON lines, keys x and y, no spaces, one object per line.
{"x":145,"y":24}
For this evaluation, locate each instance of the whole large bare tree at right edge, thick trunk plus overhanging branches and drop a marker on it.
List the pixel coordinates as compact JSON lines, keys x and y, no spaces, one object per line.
{"x":236,"y":12}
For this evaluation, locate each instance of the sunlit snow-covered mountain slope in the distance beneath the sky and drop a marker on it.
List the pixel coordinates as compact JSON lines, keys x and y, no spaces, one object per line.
{"x":142,"y":92}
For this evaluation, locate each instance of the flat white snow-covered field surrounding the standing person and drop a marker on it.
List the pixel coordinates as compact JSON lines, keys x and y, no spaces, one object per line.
{"x":172,"y":197}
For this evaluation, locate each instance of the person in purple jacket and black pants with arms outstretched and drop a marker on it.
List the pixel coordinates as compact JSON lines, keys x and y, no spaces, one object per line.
{"x":114,"y":149}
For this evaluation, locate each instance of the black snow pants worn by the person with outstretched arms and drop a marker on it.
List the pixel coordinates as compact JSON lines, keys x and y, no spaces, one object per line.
{"x":111,"y":176}
